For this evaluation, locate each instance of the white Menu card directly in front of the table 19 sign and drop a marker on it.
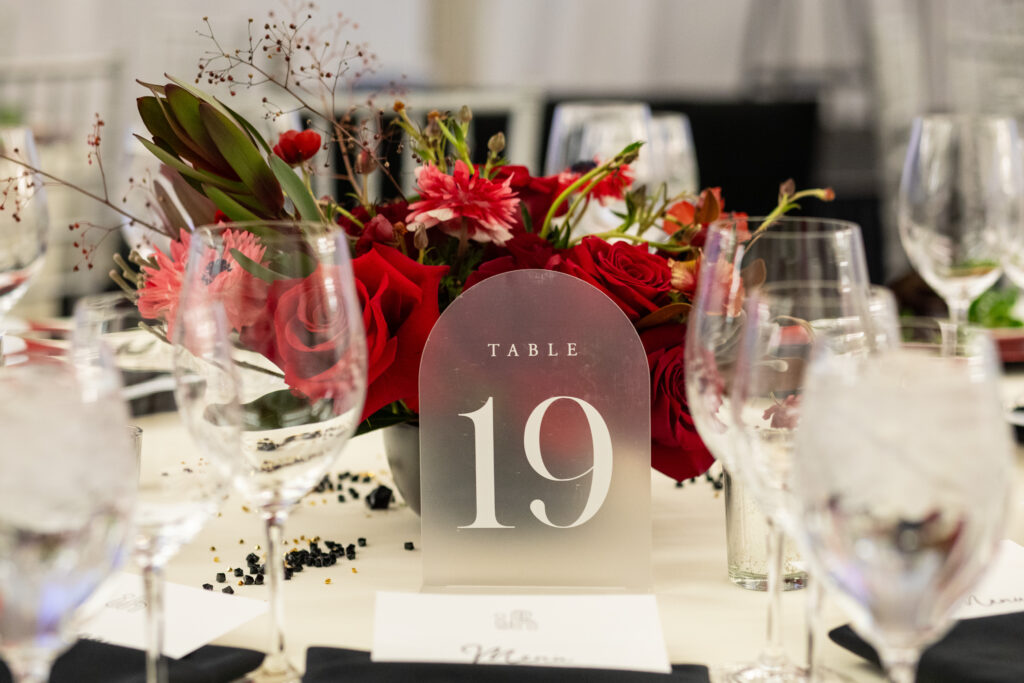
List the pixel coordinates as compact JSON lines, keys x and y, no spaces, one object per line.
{"x":620,"y":632}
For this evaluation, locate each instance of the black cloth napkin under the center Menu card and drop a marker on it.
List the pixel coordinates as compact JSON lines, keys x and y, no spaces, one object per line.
{"x":328,"y":665}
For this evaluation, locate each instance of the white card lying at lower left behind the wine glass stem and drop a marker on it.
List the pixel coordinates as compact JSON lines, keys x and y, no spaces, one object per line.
{"x":195,"y":617}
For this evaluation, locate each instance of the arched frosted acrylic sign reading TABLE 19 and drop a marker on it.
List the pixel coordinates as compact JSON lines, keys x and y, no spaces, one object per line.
{"x":535,"y":440}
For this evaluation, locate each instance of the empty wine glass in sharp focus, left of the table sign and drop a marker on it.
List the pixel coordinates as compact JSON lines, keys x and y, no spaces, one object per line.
{"x":272,"y":371}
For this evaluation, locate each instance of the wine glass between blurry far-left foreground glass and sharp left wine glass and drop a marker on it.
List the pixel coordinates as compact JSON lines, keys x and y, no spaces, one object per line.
{"x":179,"y":492}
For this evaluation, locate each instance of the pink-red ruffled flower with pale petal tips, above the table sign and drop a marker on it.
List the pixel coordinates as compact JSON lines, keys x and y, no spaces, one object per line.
{"x":486,"y":208}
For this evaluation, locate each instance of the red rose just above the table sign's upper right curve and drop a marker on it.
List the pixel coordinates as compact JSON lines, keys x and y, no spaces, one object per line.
{"x":636,"y":280}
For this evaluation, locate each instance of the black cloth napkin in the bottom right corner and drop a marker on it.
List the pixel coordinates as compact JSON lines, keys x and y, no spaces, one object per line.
{"x":989,"y":650}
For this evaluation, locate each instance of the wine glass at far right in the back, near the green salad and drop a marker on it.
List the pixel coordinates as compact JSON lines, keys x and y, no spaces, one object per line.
{"x":960,"y":203}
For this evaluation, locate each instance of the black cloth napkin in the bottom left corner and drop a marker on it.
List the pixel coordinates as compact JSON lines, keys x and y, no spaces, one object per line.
{"x":91,"y":662}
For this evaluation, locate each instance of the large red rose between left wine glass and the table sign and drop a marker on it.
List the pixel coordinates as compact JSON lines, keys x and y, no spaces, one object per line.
{"x":400,"y":309}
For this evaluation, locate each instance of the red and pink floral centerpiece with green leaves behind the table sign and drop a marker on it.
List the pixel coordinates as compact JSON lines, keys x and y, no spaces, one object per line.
{"x":468,"y":221}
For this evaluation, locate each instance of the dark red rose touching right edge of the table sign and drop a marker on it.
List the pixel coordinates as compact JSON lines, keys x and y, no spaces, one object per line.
{"x":676,"y":449}
